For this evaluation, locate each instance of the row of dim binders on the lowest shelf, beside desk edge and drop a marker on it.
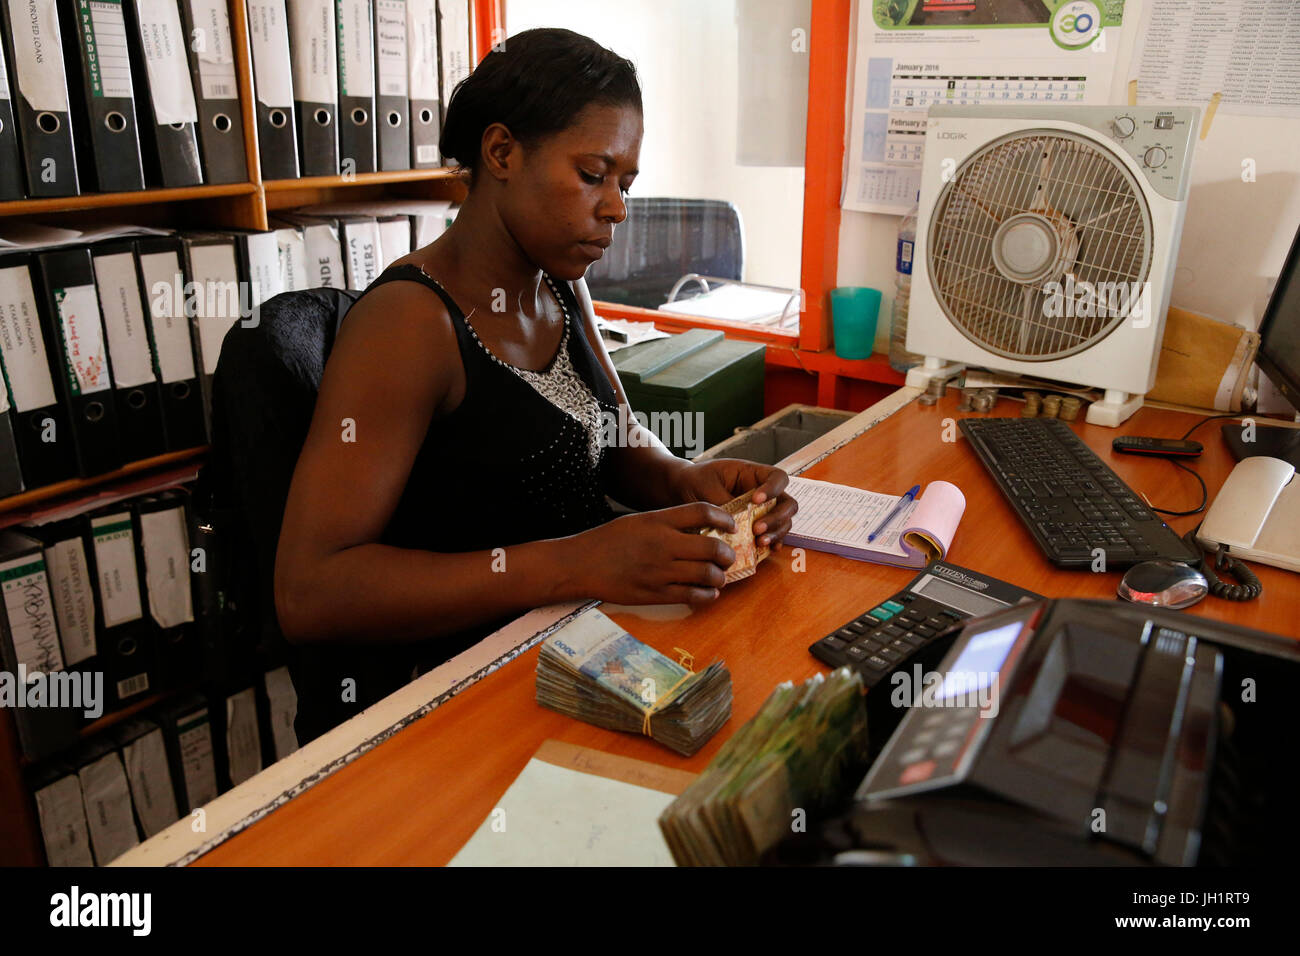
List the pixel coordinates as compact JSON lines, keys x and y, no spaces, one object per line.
{"x":140,"y":777}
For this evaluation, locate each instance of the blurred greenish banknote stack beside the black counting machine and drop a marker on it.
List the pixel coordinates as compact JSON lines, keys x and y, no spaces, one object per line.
{"x":800,"y":755}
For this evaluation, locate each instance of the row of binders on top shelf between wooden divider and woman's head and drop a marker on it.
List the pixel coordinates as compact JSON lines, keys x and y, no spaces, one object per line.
{"x":354,"y":86}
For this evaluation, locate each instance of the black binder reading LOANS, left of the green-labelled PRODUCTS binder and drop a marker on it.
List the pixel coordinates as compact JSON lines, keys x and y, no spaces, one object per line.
{"x":41,"y":101}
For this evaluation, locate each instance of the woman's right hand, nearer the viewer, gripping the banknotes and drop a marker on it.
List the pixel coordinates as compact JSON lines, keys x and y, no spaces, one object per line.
{"x":656,"y":557}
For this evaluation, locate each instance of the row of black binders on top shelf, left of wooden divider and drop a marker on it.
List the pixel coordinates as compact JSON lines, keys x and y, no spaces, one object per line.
{"x":116,"y":96}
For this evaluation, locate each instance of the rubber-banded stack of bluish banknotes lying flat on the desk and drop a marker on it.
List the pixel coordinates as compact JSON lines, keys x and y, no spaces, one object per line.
{"x":595,"y":671}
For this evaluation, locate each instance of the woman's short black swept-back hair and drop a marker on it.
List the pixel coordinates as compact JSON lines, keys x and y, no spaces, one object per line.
{"x":535,"y":85}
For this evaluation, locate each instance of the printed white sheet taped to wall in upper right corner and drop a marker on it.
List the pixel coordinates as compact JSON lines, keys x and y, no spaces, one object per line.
{"x":1240,"y":58}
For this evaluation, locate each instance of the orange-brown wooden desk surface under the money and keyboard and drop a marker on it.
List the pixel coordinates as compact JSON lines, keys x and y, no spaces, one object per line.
{"x":418,"y":798}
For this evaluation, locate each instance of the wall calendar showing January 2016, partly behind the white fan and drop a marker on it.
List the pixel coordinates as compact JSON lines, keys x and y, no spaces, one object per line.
{"x":916,"y":54}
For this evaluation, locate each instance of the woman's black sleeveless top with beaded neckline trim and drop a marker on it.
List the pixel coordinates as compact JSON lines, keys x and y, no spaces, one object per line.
{"x":505,"y":468}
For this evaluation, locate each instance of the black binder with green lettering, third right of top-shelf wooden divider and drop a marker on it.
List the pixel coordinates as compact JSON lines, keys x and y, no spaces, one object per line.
{"x":357,"y":86}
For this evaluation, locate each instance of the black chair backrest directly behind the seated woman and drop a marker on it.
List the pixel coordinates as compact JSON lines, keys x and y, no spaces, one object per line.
{"x":263,"y":396}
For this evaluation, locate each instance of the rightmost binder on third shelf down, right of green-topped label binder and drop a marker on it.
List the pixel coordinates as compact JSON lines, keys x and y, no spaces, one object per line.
{"x":163,"y":546}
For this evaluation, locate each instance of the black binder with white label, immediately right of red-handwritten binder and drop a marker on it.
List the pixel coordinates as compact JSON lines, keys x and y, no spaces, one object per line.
{"x":136,"y":386}
